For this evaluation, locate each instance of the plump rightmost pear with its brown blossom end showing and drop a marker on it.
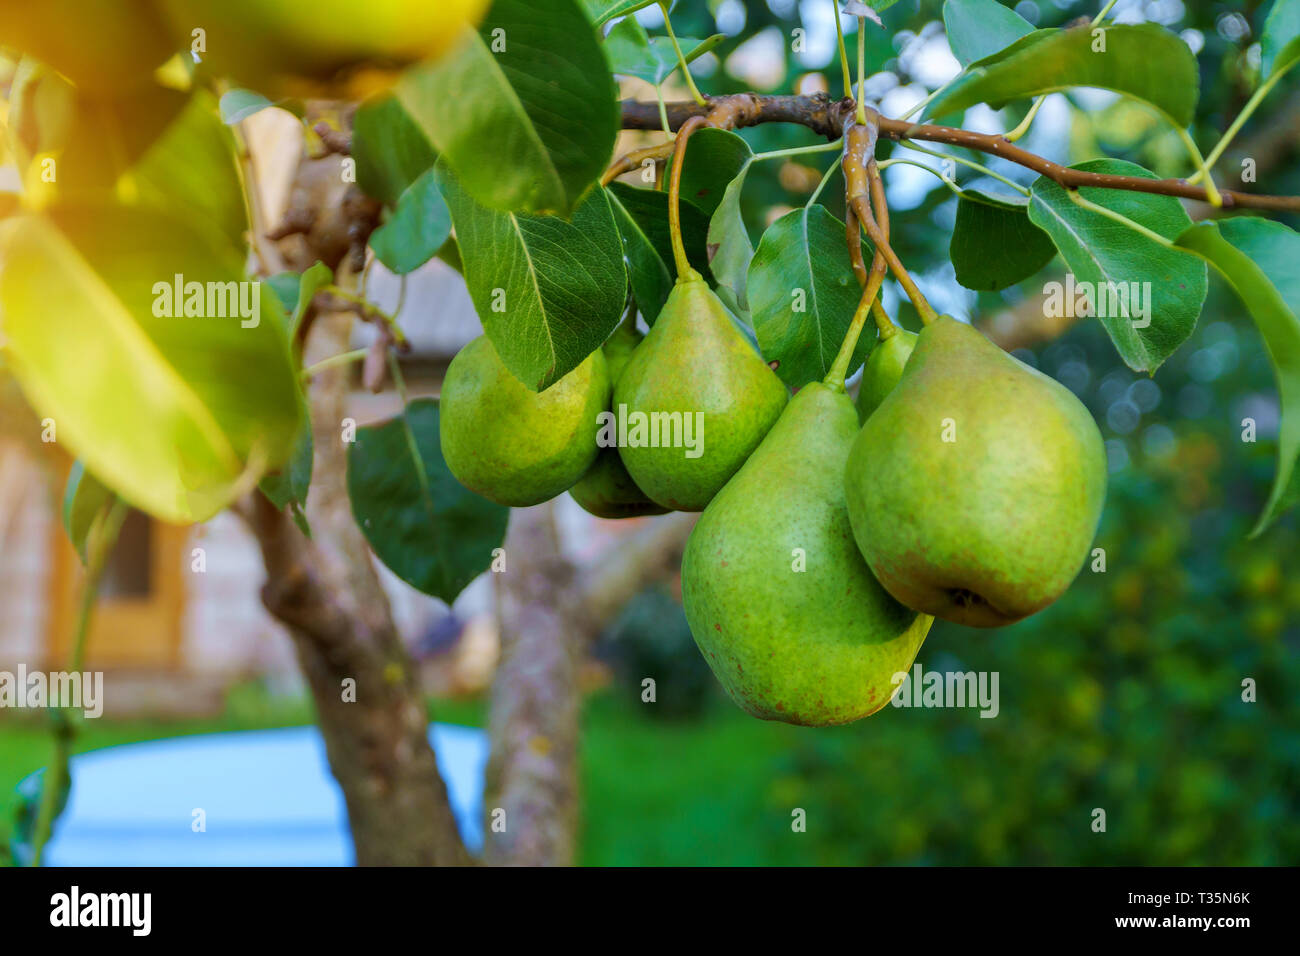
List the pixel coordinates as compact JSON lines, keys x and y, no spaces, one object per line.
{"x":977,"y":487}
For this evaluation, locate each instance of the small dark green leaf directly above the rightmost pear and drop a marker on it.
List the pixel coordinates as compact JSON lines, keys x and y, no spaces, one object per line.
{"x":995,"y":244}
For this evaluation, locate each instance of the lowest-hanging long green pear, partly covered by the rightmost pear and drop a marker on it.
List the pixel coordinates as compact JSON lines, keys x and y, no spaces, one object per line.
{"x":781,"y":602}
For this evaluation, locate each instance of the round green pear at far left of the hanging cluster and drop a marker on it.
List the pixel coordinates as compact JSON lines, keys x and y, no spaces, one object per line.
{"x":513,"y":445}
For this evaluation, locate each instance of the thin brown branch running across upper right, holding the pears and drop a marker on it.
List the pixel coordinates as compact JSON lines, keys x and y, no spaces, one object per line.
{"x":821,"y":115}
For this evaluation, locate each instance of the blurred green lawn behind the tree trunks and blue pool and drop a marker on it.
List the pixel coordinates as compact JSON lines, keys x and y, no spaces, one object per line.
{"x":653,"y":791}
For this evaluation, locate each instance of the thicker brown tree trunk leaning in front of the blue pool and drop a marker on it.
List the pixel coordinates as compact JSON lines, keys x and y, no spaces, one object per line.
{"x":328,"y":594}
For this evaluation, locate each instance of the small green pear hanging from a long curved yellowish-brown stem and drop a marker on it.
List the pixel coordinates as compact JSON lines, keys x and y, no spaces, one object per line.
{"x":694,"y":361}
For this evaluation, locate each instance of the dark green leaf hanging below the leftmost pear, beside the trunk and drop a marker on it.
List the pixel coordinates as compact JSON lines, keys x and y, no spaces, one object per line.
{"x":423,"y":525}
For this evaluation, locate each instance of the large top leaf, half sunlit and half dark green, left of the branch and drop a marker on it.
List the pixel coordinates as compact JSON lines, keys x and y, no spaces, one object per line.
{"x":526,"y":111}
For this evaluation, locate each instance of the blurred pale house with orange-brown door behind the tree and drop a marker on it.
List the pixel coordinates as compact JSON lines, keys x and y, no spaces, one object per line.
{"x":200,"y":630}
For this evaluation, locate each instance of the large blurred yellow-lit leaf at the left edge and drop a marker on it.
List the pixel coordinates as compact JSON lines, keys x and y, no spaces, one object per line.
{"x":177,"y":414}
